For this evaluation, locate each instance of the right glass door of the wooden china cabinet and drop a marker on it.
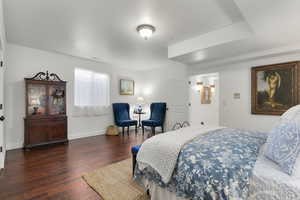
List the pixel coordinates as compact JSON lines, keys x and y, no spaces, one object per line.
{"x":57,"y":100}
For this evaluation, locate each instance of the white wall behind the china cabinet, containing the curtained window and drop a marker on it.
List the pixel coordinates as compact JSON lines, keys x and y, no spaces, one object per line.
{"x":26,"y":62}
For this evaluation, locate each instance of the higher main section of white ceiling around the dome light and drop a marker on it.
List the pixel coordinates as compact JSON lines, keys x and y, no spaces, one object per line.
{"x":106,"y":29}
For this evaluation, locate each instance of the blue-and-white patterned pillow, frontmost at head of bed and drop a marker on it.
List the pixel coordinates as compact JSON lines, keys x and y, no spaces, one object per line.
{"x":283,"y":145}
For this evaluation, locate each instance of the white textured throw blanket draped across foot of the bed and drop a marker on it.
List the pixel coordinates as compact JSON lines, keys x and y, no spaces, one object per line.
{"x":161,"y":152}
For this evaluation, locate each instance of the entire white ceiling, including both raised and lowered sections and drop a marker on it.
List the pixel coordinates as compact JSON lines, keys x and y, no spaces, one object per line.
{"x":193,"y":29}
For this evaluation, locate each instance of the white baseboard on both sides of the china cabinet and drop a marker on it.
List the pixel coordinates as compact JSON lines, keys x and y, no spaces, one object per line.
{"x":72,"y":136}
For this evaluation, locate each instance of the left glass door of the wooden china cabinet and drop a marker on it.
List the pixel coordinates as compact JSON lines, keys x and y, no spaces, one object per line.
{"x":37,"y":97}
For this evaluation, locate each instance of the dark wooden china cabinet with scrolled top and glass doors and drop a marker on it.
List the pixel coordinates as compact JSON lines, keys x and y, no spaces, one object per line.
{"x":46,"y":120}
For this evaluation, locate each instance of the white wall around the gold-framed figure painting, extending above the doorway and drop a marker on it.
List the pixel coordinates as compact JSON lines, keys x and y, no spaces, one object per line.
{"x":236,"y":78}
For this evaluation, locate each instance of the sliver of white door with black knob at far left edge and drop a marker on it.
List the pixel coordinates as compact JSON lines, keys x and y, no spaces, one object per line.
{"x":2,"y":118}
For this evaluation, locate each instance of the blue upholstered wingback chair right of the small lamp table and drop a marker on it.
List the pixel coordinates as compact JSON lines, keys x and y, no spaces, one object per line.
{"x":157,"y":117}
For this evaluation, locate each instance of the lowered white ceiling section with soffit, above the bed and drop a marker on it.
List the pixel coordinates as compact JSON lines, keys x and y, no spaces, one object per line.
{"x":272,"y":24}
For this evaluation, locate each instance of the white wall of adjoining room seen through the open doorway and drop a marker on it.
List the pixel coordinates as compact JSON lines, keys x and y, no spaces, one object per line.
{"x":206,"y":113}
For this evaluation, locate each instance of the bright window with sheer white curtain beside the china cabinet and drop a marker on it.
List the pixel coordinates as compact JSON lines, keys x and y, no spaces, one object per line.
{"x":91,"y":88}
